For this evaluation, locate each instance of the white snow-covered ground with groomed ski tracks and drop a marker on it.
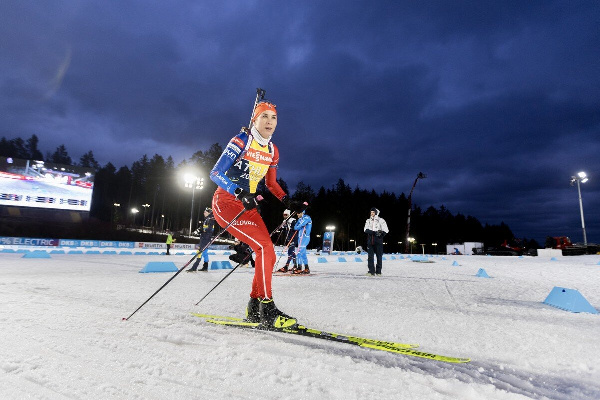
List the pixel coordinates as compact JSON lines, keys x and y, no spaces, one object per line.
{"x":62,"y":336}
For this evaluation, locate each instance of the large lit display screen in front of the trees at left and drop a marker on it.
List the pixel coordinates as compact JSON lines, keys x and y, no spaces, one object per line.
{"x":30,"y":183}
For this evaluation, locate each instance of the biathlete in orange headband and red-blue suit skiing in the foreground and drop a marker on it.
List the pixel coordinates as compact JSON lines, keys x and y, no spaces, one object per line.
{"x":248,"y":158}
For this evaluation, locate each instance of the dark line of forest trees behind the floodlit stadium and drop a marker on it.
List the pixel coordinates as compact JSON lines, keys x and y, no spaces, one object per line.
{"x":155,"y":187}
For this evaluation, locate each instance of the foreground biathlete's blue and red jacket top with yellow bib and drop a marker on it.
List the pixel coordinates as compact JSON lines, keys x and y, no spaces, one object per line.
{"x":243,"y":164}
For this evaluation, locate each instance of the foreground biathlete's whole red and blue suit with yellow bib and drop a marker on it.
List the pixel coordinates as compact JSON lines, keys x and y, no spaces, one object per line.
{"x":244,"y":163}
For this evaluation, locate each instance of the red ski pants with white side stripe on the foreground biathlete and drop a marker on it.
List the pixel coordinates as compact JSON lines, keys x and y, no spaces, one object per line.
{"x":250,"y":229}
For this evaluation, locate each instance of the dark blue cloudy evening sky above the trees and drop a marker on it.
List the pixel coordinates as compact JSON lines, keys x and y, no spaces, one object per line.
{"x":498,"y":102}
